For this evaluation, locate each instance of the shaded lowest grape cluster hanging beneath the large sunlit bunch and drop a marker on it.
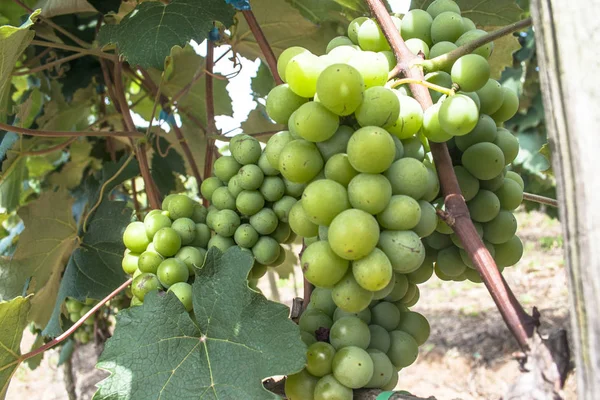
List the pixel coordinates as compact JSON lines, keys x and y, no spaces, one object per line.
{"x":349,"y":351}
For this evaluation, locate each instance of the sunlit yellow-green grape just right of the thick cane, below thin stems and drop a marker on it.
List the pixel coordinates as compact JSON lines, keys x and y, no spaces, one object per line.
{"x":458,"y":115}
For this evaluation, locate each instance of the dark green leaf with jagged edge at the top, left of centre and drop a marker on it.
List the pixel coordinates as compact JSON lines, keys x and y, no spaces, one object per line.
{"x":146,"y":35}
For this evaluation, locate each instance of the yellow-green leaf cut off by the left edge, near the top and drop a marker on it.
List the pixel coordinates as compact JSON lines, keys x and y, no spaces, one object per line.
{"x":13,"y":42}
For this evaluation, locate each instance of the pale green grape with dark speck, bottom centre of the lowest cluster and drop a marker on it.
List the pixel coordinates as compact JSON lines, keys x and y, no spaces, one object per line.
{"x":352,"y":367}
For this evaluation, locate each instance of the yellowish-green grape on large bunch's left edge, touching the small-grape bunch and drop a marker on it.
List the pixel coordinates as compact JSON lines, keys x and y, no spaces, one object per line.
{"x":300,"y":161}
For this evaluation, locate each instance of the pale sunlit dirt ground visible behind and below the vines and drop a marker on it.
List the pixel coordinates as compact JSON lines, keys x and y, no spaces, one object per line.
{"x":470,"y":354}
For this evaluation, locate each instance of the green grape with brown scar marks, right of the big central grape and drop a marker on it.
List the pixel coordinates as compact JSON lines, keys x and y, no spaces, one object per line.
{"x":403,"y":248}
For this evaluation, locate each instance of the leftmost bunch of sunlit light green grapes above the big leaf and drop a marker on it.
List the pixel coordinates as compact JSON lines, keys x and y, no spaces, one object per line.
{"x":164,"y":250}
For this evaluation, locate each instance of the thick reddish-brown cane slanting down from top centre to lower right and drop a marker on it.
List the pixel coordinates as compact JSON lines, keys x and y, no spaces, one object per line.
{"x":518,"y":321}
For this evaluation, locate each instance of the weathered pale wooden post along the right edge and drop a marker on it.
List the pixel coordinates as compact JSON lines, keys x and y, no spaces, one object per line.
{"x":567,"y":54}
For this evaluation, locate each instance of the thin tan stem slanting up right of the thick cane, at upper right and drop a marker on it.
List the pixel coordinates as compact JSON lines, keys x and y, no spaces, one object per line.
{"x":446,"y":60}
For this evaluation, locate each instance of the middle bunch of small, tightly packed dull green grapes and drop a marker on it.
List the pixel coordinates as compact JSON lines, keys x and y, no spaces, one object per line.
{"x":250,"y":204}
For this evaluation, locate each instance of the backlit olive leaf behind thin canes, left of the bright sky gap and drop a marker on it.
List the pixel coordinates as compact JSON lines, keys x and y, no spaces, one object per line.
{"x":181,"y":67}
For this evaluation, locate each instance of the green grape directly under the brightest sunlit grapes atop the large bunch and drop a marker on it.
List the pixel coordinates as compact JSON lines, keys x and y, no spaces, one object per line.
{"x":380,"y":107}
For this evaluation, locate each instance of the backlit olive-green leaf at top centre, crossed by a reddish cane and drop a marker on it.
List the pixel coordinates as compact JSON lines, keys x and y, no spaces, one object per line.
{"x":285,"y":27}
